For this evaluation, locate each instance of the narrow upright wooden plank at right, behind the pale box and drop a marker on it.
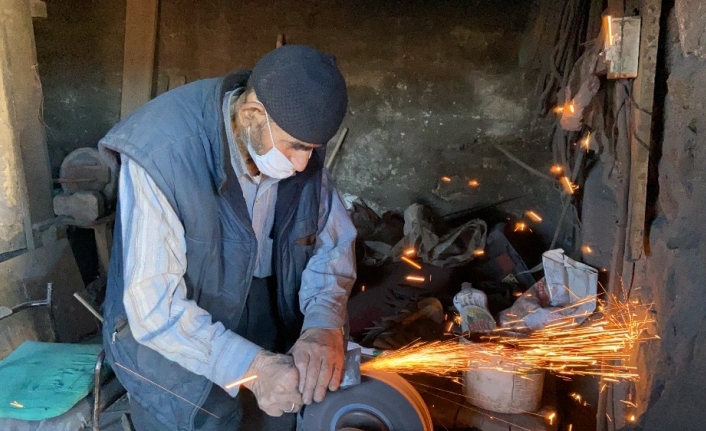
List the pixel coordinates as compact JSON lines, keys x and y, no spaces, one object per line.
{"x":640,"y":141}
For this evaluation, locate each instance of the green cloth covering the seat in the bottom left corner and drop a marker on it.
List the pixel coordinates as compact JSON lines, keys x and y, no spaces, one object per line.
{"x":42,"y":380}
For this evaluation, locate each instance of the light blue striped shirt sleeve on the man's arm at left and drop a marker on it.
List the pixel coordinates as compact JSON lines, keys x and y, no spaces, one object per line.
{"x":160,"y":314}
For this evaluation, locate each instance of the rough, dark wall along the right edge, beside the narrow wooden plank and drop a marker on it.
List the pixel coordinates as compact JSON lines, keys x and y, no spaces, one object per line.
{"x":673,"y":275}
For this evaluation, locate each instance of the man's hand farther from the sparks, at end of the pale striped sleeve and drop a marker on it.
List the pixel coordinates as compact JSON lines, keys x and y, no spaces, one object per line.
{"x":276,"y":386}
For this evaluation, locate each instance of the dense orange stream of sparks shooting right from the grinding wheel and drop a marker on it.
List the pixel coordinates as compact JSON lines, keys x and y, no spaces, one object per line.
{"x":599,"y":347}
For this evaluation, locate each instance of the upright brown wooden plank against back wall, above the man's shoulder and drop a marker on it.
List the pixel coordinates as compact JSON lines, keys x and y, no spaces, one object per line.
{"x":138,"y":63}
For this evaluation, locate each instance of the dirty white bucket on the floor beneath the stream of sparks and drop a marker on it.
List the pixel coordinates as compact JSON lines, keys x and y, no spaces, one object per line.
{"x":505,"y":392}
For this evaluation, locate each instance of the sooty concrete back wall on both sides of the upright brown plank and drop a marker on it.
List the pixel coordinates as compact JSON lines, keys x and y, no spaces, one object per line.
{"x":433,"y":86}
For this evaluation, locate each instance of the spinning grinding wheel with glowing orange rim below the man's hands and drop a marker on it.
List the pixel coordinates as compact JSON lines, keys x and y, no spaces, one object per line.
{"x":381,"y":402}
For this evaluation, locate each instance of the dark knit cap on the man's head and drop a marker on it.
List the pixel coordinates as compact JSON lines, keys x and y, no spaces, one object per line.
{"x":303,"y":92}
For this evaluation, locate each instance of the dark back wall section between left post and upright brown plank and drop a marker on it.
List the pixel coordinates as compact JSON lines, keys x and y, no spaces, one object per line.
{"x":80,"y":55}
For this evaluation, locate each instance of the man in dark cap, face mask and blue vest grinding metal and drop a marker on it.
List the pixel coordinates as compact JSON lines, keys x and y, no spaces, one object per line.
{"x":233,"y":253}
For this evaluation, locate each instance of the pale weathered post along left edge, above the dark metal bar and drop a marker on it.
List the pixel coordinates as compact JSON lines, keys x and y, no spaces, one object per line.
{"x":25,"y":176}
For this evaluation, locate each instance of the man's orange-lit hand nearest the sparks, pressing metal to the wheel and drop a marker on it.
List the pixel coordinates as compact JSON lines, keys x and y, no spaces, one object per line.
{"x":318,"y":355}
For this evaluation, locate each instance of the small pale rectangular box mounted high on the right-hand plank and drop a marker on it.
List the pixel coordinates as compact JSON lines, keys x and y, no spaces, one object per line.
{"x":621,"y":45}
